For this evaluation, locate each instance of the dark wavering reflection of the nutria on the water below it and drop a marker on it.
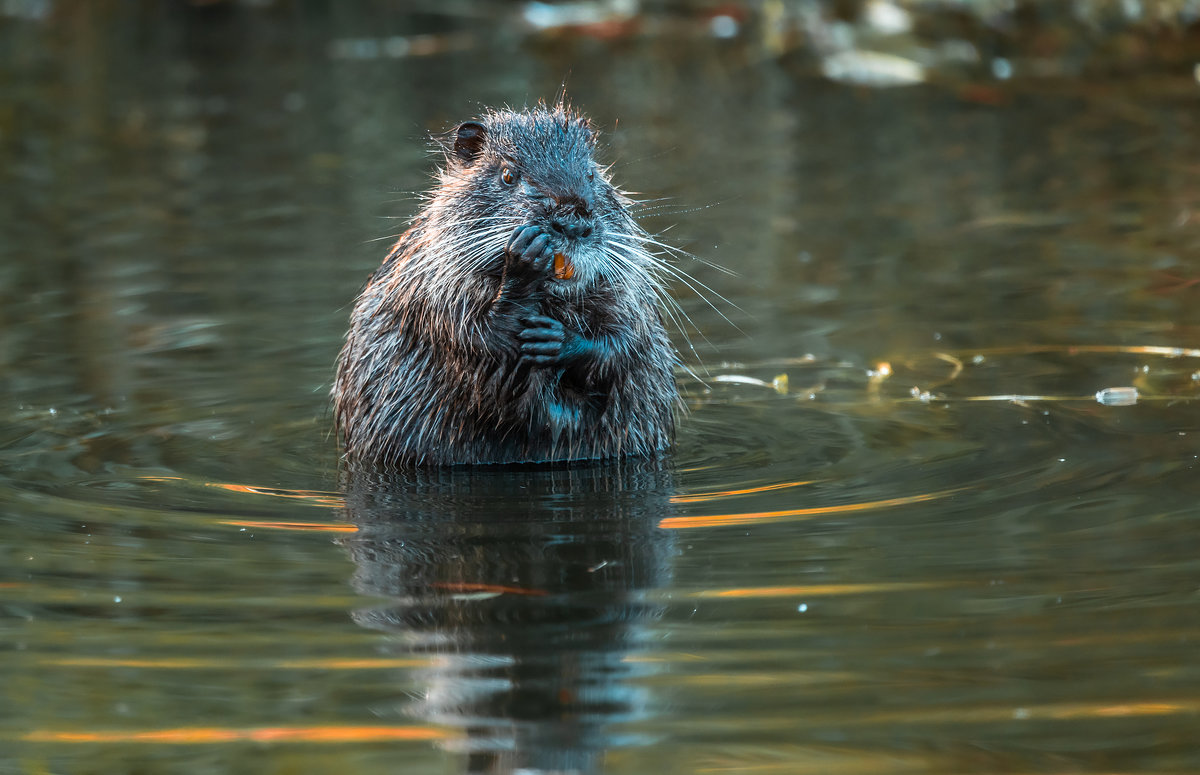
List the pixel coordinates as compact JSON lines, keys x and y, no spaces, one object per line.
{"x":530,"y":587}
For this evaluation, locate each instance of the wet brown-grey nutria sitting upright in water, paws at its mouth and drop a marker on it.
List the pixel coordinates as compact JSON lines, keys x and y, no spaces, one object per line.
{"x":518,"y":320}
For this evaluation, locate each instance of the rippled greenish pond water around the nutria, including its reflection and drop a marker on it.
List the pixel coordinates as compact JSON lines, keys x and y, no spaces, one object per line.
{"x":902,"y":533}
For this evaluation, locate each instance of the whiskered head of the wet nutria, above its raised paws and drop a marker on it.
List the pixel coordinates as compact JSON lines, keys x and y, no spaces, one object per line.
{"x":538,"y":167}
